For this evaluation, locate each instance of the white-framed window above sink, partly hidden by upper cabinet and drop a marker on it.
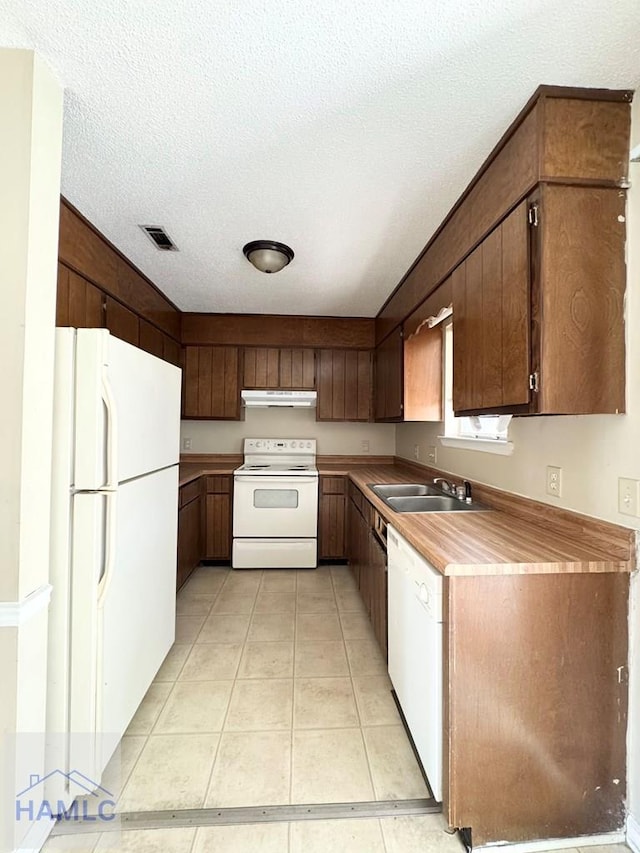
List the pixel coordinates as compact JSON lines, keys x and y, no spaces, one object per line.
{"x":488,"y":433}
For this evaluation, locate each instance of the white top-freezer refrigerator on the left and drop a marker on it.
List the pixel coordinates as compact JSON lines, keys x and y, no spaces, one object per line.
{"x":113,"y":545}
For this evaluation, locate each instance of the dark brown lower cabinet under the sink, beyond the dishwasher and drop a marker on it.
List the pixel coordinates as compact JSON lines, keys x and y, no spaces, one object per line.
{"x":368,"y":562}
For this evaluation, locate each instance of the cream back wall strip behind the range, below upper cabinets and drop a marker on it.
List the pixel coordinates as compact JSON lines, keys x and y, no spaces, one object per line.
{"x":338,"y":438}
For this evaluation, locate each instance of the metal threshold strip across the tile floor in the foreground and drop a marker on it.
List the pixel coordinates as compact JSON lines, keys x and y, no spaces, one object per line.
{"x":171,"y":818}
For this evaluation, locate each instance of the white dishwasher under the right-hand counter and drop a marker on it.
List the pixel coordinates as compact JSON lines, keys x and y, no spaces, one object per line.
{"x":415,"y":650}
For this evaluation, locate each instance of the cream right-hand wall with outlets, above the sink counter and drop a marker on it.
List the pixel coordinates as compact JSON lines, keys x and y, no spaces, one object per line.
{"x":593,"y":451}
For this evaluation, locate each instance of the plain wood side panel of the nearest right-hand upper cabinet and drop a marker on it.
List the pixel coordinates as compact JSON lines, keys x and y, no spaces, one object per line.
{"x":580,"y":300}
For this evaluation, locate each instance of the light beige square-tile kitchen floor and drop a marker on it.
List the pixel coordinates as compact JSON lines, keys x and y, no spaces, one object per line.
{"x":275,"y":692}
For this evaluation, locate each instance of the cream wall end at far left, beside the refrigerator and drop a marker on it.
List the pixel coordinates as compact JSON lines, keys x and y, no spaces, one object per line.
{"x":31,"y":143}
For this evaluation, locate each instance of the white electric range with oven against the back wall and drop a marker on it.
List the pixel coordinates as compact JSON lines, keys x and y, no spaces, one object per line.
{"x":275,"y":505}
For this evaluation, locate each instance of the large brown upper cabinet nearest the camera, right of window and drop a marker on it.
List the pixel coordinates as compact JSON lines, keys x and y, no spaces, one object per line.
{"x":538,"y":308}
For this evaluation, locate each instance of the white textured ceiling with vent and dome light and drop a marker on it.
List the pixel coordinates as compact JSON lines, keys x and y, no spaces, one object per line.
{"x":346,"y":130}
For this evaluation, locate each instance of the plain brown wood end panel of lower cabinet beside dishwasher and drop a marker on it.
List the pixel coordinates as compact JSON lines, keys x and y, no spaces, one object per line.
{"x":535,"y":699}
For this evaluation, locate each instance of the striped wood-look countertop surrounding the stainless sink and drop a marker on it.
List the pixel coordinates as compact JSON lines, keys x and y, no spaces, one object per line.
{"x":483,"y":543}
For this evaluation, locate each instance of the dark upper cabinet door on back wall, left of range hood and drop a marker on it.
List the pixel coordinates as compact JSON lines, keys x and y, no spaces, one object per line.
{"x":211,"y":383}
